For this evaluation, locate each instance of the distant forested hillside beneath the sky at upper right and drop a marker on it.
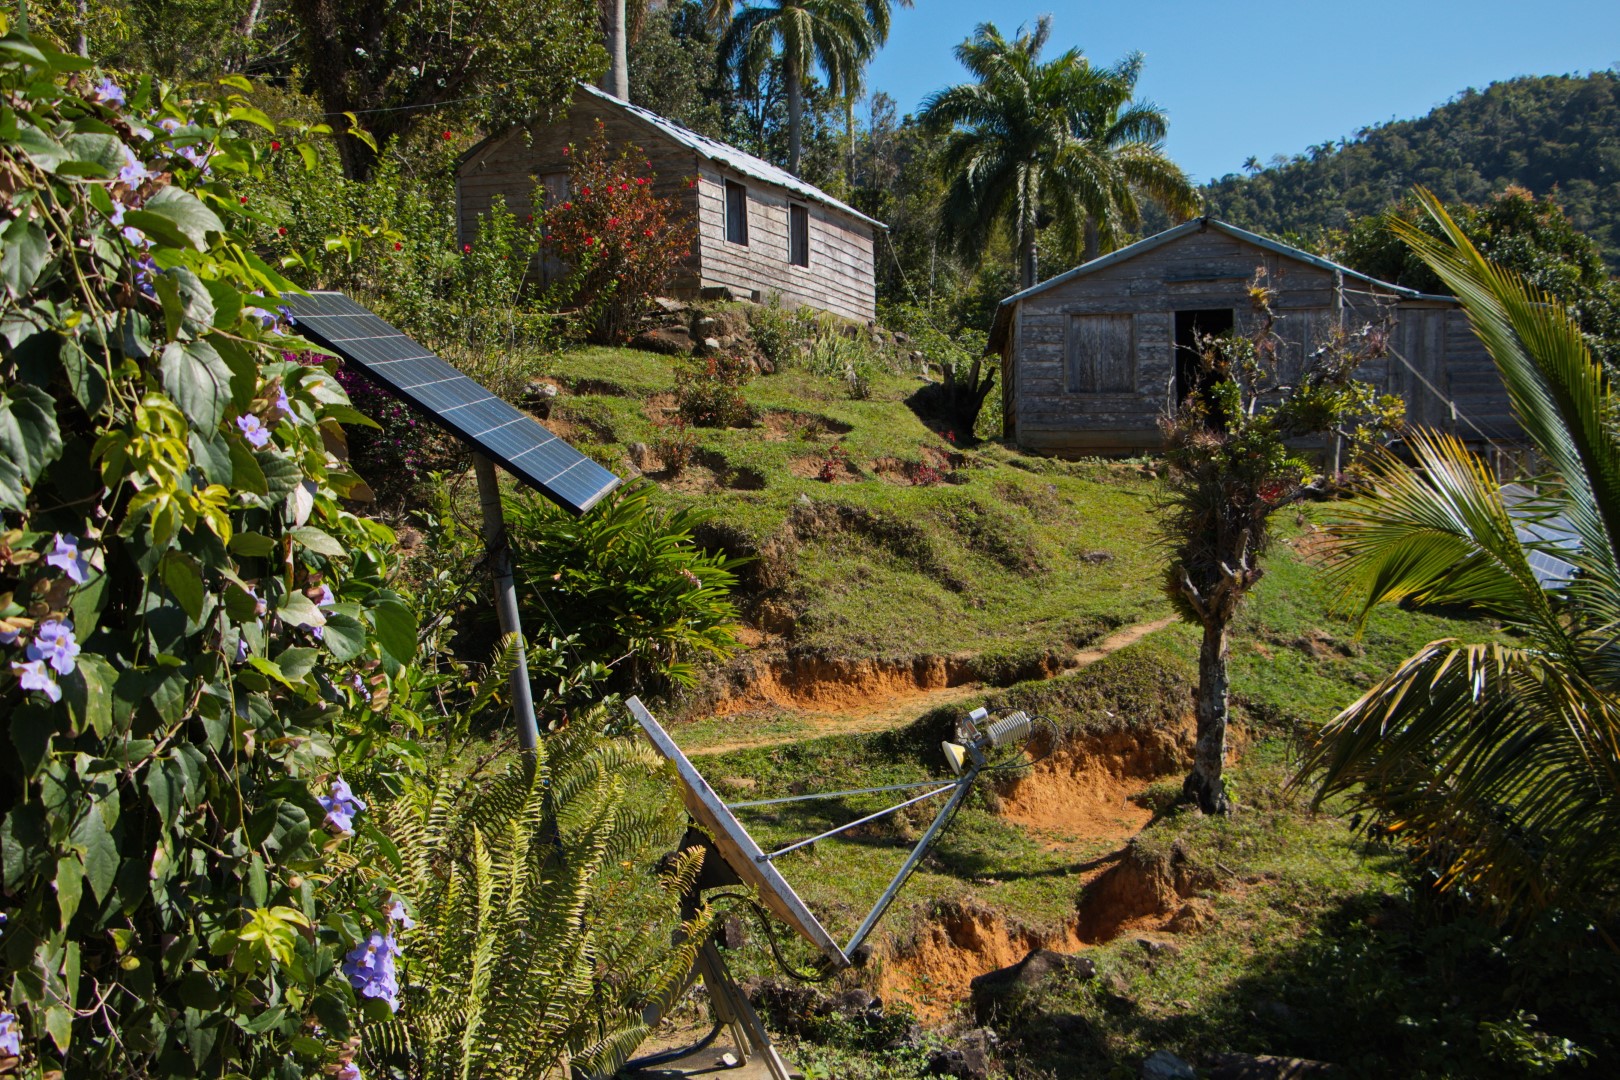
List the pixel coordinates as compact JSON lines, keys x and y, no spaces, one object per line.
{"x":1543,"y":134}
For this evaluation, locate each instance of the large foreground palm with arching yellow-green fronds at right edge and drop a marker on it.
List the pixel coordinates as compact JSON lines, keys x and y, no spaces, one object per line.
{"x":1499,"y":762}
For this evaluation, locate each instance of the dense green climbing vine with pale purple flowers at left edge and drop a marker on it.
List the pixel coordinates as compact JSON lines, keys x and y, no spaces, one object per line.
{"x":187,"y":611}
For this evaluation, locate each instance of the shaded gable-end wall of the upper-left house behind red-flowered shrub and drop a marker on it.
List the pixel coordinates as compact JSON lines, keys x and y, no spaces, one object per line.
{"x":509,"y":166}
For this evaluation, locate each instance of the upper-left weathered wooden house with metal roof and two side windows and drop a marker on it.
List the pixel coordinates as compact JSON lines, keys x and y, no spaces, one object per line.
{"x":761,"y":229}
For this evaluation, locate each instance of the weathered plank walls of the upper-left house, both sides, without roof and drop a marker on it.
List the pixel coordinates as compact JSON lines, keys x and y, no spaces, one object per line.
{"x":840,"y":278}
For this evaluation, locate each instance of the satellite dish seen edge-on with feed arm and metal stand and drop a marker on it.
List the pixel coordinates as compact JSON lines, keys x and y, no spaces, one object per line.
{"x":756,"y":867}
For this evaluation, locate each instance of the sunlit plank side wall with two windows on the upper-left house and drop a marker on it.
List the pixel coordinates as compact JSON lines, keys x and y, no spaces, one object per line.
{"x":840,"y":278}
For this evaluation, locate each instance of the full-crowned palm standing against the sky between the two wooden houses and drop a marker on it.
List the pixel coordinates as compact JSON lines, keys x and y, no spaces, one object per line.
{"x":1059,"y":140}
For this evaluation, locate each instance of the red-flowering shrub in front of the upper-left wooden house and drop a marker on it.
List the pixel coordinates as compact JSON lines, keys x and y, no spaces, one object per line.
{"x":625,"y":240}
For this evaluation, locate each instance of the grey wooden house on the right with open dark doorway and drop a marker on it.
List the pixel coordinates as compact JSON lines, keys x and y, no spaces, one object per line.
{"x":1093,"y":359}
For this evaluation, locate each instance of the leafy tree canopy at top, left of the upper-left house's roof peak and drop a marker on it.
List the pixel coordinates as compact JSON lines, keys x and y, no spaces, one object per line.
{"x":495,"y":62}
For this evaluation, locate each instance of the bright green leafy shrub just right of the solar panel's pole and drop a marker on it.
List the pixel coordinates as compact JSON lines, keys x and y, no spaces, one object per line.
{"x":631,"y":584}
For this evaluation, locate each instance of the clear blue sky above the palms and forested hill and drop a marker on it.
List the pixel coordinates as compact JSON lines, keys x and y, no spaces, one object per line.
{"x":1273,"y":77}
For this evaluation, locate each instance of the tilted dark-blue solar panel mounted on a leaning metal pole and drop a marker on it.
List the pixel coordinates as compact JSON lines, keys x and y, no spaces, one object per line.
{"x":412,"y":373}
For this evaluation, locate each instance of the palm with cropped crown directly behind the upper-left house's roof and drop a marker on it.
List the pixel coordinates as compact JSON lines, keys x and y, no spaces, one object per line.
{"x":837,"y":36}
